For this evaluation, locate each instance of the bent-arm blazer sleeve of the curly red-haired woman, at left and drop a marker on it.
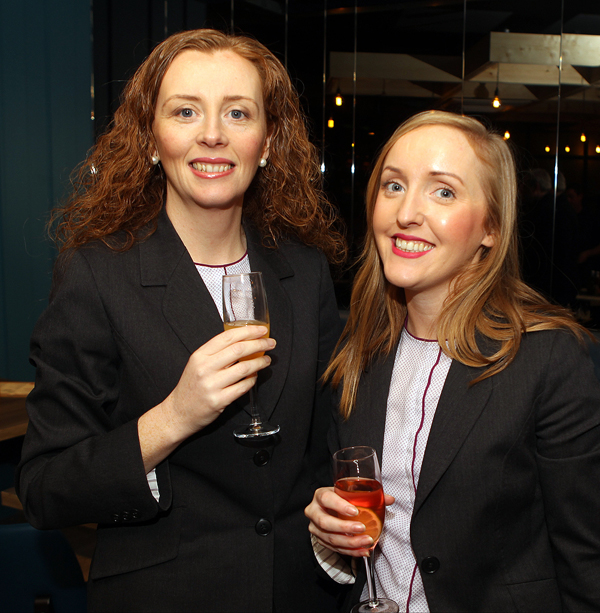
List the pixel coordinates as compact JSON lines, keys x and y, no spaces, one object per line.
{"x":81,"y":459}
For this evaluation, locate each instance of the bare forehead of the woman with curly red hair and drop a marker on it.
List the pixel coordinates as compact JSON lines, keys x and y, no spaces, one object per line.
{"x":220,"y":71}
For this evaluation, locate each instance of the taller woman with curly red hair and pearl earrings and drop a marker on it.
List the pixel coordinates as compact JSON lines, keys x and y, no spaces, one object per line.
{"x":206,"y":170}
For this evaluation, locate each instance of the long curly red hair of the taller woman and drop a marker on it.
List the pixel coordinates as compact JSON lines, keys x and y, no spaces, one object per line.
{"x":117,"y":189}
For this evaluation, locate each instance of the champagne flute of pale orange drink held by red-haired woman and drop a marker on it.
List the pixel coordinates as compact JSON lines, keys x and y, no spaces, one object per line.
{"x":245,"y":304}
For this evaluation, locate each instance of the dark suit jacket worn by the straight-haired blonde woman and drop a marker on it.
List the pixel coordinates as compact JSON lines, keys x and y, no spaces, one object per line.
{"x":507,"y":511}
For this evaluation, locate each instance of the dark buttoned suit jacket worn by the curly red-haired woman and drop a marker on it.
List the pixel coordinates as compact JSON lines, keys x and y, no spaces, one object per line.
{"x":229,"y":532}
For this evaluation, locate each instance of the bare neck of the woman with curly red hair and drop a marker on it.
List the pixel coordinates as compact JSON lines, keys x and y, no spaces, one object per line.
{"x":211,"y":236}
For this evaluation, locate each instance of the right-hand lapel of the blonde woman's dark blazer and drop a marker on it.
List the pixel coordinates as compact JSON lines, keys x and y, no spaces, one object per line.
{"x":458,"y":409}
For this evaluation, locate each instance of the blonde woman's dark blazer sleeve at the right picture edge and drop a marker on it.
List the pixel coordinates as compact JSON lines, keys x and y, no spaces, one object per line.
{"x":568,"y":458}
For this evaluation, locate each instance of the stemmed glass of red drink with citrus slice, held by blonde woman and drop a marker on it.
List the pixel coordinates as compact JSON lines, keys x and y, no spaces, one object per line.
{"x":358,"y":480}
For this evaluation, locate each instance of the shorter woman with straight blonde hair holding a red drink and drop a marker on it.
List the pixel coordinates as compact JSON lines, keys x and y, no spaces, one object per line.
{"x":478,"y":395}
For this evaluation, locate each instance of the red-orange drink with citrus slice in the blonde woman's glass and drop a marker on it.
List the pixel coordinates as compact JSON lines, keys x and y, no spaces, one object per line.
{"x":367,"y":496}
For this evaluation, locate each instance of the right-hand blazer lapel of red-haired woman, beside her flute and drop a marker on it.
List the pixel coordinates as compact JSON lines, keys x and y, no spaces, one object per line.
{"x":274,"y":268}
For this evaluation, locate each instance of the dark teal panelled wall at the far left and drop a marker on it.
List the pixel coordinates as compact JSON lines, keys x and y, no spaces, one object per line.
{"x":45,"y":131}
